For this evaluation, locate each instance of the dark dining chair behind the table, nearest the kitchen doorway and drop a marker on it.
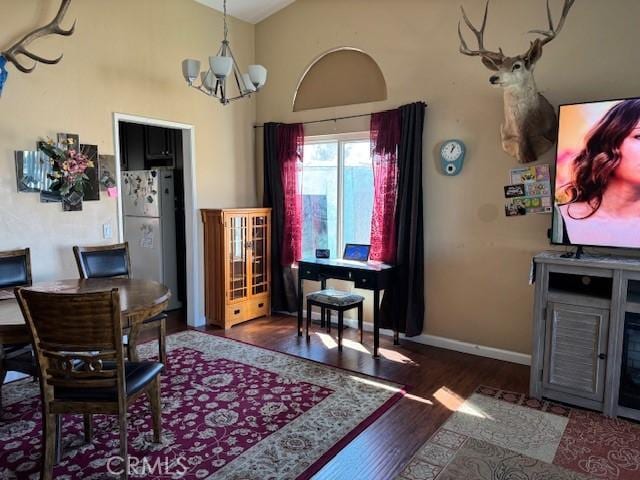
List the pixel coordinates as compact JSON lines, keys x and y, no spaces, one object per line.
{"x":112,"y":261}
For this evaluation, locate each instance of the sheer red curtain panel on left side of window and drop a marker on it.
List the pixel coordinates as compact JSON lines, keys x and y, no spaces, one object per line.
{"x":290,"y":148}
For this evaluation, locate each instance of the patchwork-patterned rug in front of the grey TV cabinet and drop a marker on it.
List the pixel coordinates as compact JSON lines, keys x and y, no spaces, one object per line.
{"x":504,"y":435}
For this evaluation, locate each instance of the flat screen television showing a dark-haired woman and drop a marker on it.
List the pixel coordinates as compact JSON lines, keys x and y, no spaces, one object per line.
{"x":597,"y":185}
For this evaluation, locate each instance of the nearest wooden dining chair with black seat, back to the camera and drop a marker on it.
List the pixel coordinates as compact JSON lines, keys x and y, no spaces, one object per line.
{"x":77,"y":339}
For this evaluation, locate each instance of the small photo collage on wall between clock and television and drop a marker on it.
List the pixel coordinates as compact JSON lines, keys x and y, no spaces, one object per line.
{"x":529,"y":191}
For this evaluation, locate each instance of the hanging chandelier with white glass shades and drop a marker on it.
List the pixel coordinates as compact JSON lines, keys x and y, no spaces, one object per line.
{"x":213,"y":82}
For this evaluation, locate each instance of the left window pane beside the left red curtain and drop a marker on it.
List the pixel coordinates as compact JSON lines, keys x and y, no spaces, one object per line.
{"x":319,"y":198}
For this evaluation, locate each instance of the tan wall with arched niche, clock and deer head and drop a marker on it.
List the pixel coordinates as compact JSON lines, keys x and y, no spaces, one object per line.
{"x":477,"y":261}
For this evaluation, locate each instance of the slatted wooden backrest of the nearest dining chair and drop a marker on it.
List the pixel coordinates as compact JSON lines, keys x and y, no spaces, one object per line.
{"x":73,"y":335}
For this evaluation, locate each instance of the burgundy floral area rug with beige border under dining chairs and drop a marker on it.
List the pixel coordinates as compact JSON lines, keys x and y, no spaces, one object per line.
{"x":230,"y":411}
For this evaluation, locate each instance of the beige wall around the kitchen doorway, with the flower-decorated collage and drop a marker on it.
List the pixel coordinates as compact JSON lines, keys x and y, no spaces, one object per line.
{"x":124,"y":57}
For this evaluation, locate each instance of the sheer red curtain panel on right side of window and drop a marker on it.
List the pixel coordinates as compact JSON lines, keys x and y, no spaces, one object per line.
{"x":385,"y":137}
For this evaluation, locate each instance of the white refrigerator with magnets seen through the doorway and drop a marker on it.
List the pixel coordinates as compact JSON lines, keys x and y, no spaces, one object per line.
{"x":148,"y":202}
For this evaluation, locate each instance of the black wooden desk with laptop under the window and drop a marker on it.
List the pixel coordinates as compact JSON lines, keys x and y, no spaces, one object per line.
{"x":365,"y":275}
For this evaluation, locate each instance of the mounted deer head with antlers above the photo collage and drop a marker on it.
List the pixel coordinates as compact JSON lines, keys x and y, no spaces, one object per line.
{"x":530,"y":127}
